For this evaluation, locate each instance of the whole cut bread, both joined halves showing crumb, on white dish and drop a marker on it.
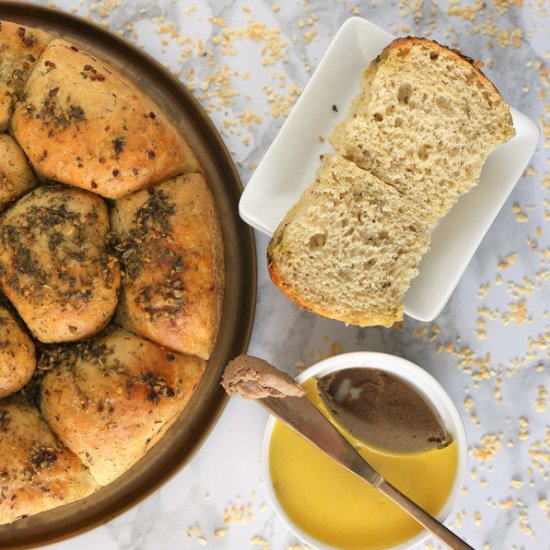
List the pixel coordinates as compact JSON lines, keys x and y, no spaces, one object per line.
{"x":413,"y":141}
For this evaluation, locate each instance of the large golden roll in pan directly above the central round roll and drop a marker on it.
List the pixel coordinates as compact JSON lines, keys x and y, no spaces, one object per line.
{"x":83,"y":123}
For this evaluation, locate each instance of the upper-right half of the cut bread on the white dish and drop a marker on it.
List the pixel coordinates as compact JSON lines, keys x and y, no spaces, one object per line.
{"x":424,"y":121}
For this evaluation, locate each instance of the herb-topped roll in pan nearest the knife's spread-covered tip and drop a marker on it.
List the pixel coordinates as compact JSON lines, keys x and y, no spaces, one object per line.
{"x":111,"y":399}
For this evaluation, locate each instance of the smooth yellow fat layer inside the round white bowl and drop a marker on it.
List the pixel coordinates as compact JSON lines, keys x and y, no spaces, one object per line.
{"x":336,"y":507}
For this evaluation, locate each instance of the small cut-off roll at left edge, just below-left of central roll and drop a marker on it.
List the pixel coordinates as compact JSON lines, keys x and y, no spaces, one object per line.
{"x":17,"y":357}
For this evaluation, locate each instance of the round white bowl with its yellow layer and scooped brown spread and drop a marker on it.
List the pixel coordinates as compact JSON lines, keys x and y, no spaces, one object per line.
{"x":329,"y":507}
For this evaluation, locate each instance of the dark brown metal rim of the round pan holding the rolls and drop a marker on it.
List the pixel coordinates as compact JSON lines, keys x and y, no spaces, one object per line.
{"x":190,"y":430}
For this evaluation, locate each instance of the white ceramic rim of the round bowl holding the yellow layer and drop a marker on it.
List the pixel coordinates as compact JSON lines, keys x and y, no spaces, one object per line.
{"x":424,"y":383}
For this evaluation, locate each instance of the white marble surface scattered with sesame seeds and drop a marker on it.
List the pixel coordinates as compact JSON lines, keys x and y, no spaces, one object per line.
{"x":503,"y":502}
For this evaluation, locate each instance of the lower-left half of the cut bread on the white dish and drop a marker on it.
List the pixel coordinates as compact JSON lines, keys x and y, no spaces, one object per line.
{"x":350,"y":246}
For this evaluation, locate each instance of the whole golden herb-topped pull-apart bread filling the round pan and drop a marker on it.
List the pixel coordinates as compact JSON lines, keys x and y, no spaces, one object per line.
{"x":89,"y":133}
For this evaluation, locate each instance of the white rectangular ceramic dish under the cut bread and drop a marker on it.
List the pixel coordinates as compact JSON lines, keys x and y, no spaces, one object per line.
{"x":290,"y":164}
